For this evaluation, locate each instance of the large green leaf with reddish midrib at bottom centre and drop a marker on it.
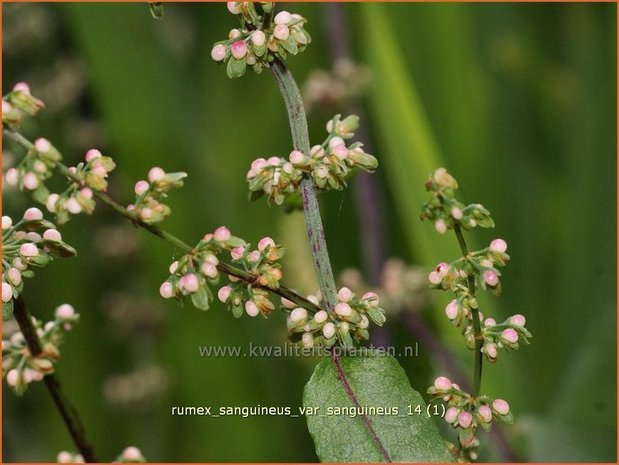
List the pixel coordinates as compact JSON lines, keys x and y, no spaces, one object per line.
{"x":377,"y":381}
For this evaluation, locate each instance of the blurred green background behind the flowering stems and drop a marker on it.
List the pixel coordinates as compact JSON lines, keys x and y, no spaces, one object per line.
{"x":518,"y":101}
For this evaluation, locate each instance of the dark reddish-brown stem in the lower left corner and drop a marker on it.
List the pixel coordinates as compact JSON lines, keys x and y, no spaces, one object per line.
{"x":63,"y":404}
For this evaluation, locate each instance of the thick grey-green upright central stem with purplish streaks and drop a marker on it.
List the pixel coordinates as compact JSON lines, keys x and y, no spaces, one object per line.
{"x":300,"y":140}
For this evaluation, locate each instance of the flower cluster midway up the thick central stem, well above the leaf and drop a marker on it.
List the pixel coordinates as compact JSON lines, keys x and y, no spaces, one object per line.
{"x":327,"y":165}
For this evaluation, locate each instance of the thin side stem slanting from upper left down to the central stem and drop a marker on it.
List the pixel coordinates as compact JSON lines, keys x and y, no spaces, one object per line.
{"x":170,"y":238}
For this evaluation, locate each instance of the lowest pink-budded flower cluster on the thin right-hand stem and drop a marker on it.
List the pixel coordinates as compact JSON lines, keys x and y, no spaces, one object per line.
{"x":465,"y":413}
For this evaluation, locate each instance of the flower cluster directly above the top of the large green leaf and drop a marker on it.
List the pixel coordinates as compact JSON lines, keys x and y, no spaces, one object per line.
{"x":347,"y":323}
